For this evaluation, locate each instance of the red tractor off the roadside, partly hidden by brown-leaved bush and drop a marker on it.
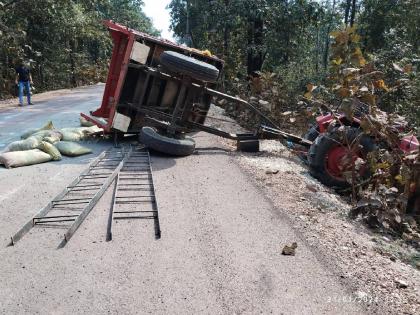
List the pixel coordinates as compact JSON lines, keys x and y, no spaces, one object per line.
{"x":340,"y":149}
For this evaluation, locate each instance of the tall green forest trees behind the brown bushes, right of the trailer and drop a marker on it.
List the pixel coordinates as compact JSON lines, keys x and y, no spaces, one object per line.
{"x":293,"y":40}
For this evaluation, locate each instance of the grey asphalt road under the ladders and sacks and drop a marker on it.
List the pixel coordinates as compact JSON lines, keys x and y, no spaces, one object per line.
{"x":220,"y":251}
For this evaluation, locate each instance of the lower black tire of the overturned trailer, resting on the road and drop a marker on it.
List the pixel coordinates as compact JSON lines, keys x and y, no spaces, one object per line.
{"x":167,"y":145}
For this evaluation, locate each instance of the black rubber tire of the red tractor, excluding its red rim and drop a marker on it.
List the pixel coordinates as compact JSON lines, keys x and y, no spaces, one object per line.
{"x":321,"y":149}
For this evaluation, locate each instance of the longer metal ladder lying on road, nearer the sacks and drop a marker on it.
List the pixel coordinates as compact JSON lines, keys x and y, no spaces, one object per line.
{"x":76,"y":201}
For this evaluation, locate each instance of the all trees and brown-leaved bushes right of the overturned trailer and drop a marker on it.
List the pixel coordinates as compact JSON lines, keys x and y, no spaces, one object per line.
{"x":296,"y":42}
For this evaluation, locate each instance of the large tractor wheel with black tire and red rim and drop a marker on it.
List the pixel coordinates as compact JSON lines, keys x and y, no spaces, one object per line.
{"x":331,"y":145}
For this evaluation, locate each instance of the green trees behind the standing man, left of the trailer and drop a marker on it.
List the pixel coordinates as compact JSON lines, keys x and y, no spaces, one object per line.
{"x":64,"y":42}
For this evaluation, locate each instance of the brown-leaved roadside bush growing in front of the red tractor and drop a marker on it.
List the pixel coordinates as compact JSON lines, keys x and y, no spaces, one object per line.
{"x":360,"y":90}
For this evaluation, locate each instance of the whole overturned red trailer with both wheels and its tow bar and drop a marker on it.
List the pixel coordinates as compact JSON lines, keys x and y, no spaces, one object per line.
{"x":156,"y":83}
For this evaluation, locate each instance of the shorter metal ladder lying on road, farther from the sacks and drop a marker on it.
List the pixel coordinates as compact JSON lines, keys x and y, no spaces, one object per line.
{"x":134,"y":187}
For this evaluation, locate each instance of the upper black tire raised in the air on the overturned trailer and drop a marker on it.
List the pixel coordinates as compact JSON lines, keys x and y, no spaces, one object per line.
{"x":192,"y":67}
